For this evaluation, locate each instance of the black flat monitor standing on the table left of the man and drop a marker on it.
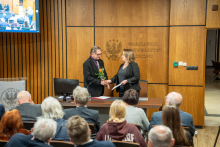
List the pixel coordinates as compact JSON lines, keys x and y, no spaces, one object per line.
{"x":64,"y":86}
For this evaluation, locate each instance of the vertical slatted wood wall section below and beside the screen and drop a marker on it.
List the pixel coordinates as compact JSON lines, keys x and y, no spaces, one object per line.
{"x":33,"y":55}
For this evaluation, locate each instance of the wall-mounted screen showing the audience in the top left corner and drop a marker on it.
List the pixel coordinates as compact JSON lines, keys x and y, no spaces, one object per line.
{"x":20,"y":16}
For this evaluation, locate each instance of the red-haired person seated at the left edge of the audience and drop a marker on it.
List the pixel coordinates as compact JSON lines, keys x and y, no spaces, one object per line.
{"x":11,"y":124}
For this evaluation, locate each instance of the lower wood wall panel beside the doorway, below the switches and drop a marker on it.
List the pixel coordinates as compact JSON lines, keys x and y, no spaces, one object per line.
{"x":193,"y":102}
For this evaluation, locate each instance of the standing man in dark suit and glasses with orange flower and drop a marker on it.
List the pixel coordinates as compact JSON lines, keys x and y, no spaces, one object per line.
{"x":91,"y":68}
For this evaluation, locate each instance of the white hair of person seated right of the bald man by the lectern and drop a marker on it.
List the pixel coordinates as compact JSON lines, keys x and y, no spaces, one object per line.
{"x":51,"y":108}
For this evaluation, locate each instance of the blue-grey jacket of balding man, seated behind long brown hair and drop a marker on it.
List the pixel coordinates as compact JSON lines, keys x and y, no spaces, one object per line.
{"x":186,"y":119}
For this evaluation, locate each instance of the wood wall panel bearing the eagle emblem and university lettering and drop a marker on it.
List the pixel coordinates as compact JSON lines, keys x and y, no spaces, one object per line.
{"x":150,"y":46}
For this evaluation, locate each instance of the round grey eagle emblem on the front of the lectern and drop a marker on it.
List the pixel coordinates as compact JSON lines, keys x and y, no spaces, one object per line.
{"x":9,"y":97}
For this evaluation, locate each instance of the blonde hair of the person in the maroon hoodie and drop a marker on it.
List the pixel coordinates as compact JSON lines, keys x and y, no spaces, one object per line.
{"x":117,"y":111}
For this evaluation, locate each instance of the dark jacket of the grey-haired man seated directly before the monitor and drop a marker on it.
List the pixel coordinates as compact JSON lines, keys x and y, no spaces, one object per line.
{"x":91,"y":116}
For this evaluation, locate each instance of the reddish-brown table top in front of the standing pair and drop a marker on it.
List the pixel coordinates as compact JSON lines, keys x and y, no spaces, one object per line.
{"x":150,"y":103}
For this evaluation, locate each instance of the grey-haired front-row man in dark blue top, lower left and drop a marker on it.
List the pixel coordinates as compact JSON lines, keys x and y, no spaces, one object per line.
{"x":44,"y":129}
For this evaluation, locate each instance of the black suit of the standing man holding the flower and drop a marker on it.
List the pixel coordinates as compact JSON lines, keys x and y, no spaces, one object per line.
{"x":89,"y":70}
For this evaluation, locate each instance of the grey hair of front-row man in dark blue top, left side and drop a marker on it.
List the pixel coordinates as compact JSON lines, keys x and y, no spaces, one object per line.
{"x":44,"y":129}
